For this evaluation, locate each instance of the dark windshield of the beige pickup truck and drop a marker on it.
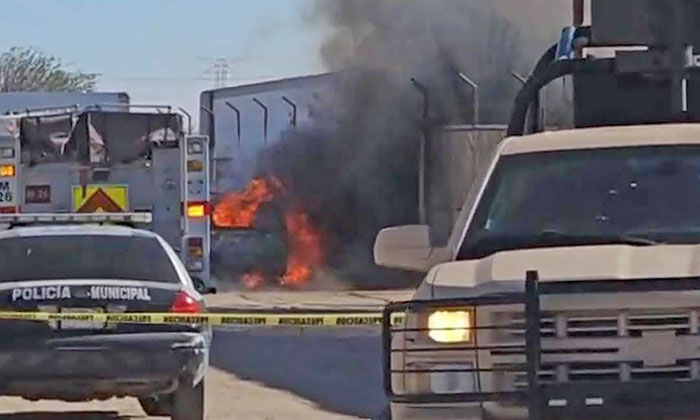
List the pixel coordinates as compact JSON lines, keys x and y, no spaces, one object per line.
{"x":633,"y":195}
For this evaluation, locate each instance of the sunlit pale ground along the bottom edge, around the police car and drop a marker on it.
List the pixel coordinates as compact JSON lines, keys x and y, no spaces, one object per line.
{"x":227,"y":398}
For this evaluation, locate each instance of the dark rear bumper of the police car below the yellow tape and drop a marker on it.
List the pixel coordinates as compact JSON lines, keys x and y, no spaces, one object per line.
{"x":102,"y":366}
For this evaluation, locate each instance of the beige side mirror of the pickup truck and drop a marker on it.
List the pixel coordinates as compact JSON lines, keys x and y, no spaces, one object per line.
{"x":405,"y":247}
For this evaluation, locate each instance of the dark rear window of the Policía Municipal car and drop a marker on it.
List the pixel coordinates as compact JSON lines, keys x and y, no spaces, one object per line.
{"x":85,"y":257}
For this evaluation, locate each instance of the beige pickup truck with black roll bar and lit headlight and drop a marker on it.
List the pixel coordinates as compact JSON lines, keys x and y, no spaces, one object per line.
{"x":570,"y":285}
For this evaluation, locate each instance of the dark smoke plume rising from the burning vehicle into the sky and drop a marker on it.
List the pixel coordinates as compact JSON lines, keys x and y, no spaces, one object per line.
{"x":354,"y":167}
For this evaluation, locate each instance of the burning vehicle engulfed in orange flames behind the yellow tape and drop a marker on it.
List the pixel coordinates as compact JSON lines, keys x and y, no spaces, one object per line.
{"x":261,"y":238}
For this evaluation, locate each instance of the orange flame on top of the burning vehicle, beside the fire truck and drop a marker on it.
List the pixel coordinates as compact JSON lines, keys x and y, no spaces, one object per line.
{"x":238,"y":209}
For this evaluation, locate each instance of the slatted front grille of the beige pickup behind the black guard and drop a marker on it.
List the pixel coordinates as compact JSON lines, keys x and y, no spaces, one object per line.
{"x":600,"y":360}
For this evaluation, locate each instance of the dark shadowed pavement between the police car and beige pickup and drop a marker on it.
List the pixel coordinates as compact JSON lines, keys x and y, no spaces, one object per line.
{"x":338,"y":369}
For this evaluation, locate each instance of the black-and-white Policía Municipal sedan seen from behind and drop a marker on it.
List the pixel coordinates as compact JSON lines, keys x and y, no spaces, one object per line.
{"x":93,"y":268}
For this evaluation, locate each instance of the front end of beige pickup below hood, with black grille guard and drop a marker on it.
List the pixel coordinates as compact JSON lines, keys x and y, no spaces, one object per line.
{"x":425,"y":379}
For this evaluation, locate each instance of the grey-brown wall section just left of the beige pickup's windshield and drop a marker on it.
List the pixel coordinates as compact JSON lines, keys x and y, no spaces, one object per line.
{"x":455,"y":154}
